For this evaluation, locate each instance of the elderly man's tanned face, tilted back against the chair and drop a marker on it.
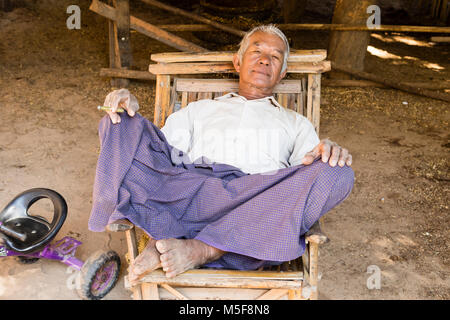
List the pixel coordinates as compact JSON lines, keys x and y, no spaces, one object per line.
{"x":262,"y":62}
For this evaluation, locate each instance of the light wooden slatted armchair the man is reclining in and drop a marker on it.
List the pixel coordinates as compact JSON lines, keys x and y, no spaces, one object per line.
{"x":296,"y":279}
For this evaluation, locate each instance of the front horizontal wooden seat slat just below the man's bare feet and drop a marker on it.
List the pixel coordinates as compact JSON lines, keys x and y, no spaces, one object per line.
{"x":227,"y":279}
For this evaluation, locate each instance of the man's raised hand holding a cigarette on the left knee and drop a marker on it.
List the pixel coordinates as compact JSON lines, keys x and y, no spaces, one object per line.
{"x":121,"y":98}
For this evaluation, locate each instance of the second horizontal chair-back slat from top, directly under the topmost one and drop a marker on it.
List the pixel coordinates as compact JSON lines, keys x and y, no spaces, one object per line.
{"x":227,"y":67}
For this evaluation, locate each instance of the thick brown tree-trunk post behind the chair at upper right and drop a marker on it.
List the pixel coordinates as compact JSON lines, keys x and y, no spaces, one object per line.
{"x":348,"y":48}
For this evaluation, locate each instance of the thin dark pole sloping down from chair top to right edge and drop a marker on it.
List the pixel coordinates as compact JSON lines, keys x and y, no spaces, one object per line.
{"x":392,"y":84}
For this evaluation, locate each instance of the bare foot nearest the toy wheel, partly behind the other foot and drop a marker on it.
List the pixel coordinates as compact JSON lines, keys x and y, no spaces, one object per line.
{"x":147,"y":261}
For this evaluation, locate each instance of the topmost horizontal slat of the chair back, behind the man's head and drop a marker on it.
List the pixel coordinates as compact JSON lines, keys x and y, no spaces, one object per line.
{"x":227,"y":56}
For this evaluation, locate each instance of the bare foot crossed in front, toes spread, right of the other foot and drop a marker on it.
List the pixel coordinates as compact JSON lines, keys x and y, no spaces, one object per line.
{"x":179,"y":255}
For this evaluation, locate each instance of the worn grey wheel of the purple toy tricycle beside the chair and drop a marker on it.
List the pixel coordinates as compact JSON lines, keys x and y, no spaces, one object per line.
{"x":99,"y":275}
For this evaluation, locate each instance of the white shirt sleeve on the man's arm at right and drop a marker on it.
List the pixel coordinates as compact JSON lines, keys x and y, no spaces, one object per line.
{"x":305,"y":140}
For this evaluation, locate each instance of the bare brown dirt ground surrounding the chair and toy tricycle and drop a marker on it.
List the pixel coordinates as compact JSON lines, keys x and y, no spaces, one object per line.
{"x":397,"y":217}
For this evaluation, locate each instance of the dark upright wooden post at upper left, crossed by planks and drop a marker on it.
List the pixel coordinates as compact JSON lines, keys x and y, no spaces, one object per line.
{"x":119,"y":41}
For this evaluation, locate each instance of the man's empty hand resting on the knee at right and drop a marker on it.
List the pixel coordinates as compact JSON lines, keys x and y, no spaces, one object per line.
{"x":329,"y":151}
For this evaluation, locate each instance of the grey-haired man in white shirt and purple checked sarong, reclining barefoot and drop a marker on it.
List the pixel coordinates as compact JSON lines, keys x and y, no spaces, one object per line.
{"x":229,"y":212}
